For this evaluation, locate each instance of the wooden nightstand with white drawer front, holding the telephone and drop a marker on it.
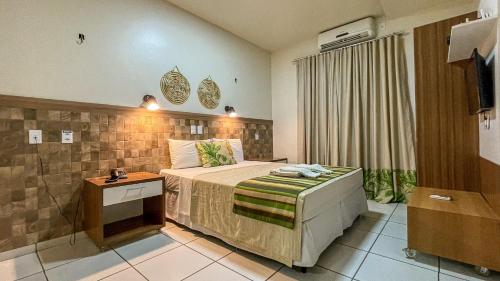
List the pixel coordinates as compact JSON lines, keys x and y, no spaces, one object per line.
{"x":99,"y":197}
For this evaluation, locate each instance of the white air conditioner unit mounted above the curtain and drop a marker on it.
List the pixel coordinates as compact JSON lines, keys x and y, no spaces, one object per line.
{"x":348,"y":34}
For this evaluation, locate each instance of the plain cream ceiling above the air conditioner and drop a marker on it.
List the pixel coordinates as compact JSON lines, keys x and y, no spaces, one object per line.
{"x":275,"y":24}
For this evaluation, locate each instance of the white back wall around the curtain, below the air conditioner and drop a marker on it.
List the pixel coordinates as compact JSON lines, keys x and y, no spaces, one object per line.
{"x":284,"y":81}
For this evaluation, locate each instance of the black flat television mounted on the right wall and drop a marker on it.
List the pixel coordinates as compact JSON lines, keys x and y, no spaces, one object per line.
{"x":480,"y":87}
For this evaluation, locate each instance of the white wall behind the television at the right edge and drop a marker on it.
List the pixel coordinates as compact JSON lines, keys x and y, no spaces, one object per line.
{"x":489,"y":139}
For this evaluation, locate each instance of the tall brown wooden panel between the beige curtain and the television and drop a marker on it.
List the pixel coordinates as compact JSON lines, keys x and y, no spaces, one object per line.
{"x":447,"y":136}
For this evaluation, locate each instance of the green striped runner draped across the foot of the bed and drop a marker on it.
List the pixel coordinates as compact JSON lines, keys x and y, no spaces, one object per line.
{"x":273,"y":199}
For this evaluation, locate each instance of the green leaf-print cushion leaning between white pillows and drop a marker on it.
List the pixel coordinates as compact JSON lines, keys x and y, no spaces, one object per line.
{"x":217,"y":153}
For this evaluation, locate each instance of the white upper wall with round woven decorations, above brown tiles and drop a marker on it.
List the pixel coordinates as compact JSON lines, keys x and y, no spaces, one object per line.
{"x":130,"y":45}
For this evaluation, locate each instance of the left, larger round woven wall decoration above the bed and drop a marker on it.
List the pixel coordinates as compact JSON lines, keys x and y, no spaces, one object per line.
{"x":175,"y":87}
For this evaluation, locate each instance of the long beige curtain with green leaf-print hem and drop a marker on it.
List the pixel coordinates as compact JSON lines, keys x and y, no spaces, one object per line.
{"x":354,"y":110}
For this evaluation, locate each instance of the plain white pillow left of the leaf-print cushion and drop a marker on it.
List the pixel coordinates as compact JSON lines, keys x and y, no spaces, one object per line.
{"x":183,"y":154}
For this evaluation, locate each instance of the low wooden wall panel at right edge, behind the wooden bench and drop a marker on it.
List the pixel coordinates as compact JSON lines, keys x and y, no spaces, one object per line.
{"x":490,"y":183}
